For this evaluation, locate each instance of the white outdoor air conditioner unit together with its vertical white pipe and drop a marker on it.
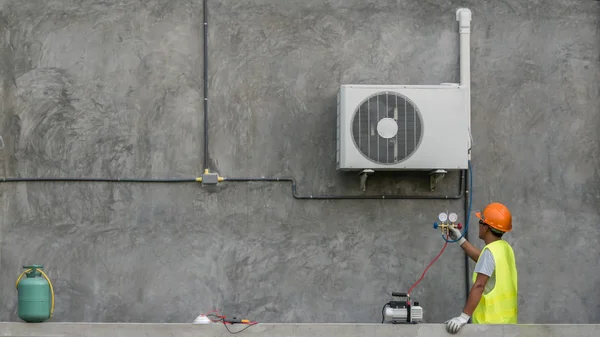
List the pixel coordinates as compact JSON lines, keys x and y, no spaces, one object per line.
{"x":407,"y":127}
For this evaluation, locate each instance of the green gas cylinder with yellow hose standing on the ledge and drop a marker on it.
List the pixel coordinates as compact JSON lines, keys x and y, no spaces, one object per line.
{"x":36,"y":296}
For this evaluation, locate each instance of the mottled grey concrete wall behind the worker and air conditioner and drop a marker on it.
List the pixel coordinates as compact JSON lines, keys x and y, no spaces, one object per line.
{"x":114,"y":89}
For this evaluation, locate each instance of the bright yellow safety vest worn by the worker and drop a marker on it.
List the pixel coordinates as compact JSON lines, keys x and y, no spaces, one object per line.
{"x":500,"y":305}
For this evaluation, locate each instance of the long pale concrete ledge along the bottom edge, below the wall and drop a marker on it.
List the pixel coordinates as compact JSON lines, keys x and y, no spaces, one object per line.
{"x":291,"y":330}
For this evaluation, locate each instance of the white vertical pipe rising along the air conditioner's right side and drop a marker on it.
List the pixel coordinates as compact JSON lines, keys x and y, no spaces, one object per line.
{"x":463,"y":16}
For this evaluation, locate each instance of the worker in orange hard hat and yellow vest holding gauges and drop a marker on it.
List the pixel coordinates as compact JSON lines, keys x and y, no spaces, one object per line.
{"x":493,"y":296}
